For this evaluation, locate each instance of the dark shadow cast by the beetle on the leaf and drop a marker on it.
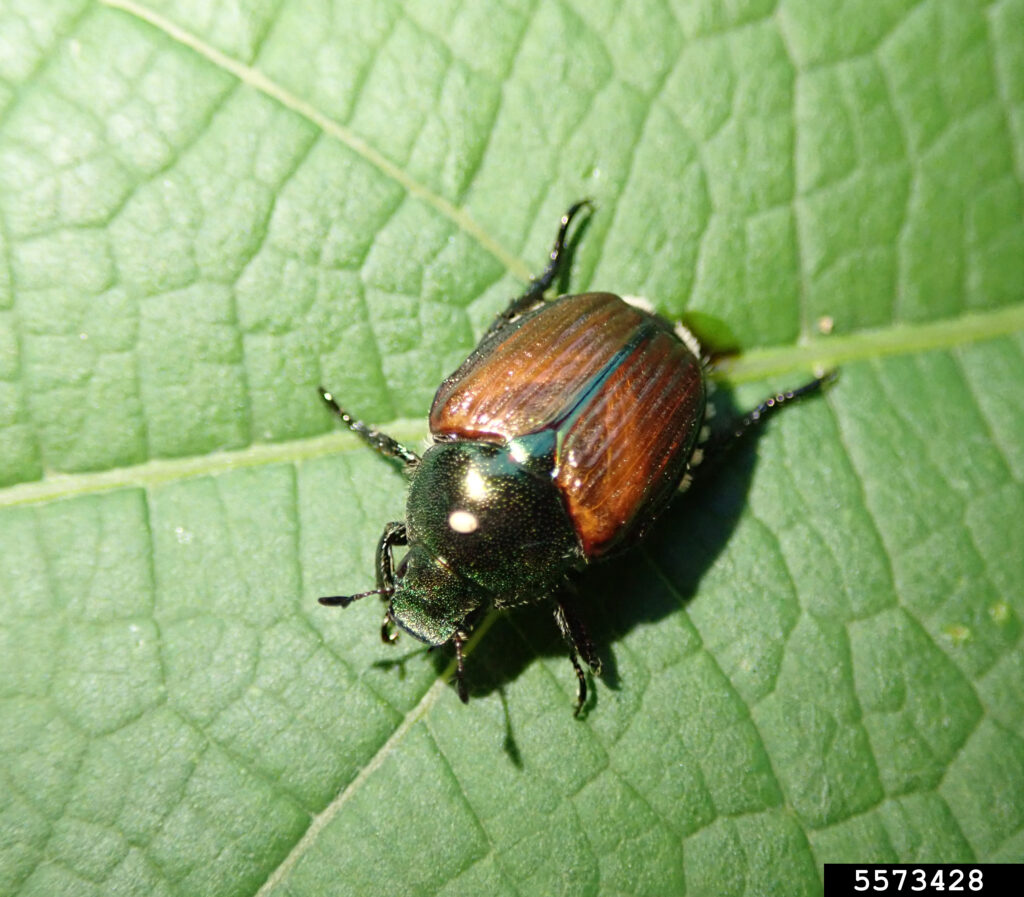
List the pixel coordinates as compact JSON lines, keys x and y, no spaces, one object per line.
{"x":643,"y":586}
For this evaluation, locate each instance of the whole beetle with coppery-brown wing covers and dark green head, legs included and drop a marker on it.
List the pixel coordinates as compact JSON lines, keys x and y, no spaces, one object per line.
{"x":557,"y":444}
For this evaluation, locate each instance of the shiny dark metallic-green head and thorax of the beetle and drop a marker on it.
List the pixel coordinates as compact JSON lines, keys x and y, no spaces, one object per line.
{"x":486,"y":527}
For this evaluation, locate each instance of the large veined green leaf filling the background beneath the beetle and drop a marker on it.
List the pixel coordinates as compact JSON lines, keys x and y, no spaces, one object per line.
{"x":206,"y":210}
